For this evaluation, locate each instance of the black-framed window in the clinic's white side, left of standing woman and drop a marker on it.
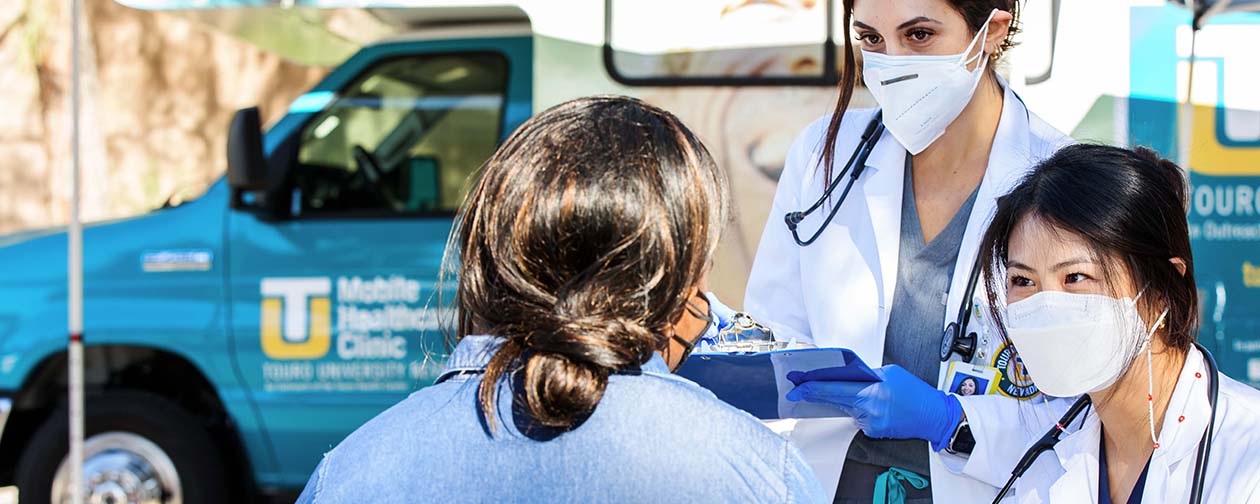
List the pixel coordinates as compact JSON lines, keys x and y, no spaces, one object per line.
{"x":723,"y":43}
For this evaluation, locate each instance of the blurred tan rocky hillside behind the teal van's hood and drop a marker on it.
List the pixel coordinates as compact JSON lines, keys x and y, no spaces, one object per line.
{"x":158,"y":93}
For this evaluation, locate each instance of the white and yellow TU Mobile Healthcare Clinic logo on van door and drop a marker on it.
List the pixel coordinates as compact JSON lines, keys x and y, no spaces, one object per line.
{"x":347,"y":335}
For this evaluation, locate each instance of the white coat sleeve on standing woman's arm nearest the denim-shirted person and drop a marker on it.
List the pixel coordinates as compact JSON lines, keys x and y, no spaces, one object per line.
{"x":774,"y":297}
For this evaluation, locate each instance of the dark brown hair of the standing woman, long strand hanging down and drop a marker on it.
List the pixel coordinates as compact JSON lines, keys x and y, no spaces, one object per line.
{"x":975,"y":12}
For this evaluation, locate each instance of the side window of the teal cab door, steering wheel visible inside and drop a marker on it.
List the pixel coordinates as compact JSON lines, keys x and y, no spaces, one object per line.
{"x":404,"y":138}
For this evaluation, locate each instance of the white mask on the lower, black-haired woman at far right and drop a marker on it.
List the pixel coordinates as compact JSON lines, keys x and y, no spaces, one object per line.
{"x":1077,"y":343}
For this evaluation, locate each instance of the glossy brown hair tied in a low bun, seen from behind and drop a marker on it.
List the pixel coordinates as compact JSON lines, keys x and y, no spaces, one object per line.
{"x":580,"y":246}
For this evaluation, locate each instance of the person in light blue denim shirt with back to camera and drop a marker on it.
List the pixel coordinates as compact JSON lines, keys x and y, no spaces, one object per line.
{"x":583,"y":255}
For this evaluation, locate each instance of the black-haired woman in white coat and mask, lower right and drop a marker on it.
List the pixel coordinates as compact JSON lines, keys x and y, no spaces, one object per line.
{"x":1092,"y":255}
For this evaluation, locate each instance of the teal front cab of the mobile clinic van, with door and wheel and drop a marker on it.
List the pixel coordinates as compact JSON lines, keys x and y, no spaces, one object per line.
{"x":234,"y":340}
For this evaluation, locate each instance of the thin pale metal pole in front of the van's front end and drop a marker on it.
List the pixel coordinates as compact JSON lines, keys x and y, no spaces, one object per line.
{"x":75,"y":255}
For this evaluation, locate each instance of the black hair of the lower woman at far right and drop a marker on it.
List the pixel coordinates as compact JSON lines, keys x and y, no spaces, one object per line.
{"x":1130,"y":206}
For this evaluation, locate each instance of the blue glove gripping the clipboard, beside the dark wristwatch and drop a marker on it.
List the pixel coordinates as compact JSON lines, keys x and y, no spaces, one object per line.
{"x":902,"y":406}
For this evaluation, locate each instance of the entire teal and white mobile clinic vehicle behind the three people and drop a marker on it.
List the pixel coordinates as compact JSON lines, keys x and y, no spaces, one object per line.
{"x":234,"y":340}
